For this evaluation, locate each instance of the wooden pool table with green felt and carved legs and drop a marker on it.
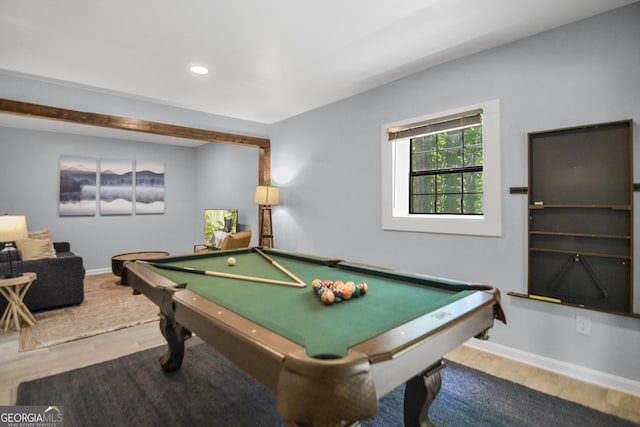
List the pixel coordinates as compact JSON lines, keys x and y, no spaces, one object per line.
{"x":326,"y":364}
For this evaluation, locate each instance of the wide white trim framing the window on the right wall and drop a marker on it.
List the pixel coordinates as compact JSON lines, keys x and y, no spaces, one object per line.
{"x":395,"y":181}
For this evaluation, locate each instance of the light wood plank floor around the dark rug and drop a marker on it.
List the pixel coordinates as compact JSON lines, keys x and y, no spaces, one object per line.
{"x":16,"y":367}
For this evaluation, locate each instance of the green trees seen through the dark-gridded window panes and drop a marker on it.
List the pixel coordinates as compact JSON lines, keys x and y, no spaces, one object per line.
{"x":445,"y":176}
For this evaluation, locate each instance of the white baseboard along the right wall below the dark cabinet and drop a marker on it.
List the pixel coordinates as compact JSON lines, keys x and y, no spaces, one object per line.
{"x":576,"y":372}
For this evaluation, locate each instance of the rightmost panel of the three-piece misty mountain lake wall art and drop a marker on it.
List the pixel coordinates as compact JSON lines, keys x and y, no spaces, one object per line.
{"x":149,"y":187}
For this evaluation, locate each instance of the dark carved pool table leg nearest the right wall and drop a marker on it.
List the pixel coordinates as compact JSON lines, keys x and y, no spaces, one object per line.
{"x":419,"y":393}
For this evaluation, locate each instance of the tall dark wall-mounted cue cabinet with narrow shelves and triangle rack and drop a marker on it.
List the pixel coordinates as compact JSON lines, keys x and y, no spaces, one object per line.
{"x":581,"y":216}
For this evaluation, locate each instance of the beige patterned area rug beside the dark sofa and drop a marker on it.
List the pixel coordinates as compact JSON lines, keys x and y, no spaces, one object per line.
{"x":107,"y":306}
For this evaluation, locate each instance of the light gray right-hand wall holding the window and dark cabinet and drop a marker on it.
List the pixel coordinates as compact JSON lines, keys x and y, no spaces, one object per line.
{"x":328,"y":163}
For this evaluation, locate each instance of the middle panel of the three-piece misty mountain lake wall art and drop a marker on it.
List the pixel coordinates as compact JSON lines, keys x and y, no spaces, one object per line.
{"x":116,"y":187}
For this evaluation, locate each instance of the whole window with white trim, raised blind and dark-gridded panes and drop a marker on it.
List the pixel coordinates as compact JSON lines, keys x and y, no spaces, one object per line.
{"x":441,"y":172}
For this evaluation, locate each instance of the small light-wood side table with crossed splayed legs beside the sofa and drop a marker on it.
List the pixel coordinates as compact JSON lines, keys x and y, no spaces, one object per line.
{"x":14,"y":289}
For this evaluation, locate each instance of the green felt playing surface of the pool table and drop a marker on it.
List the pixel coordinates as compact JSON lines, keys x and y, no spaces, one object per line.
{"x":298,"y":314}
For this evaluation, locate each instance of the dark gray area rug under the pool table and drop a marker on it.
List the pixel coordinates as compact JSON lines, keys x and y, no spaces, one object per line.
{"x":210,"y":391}
